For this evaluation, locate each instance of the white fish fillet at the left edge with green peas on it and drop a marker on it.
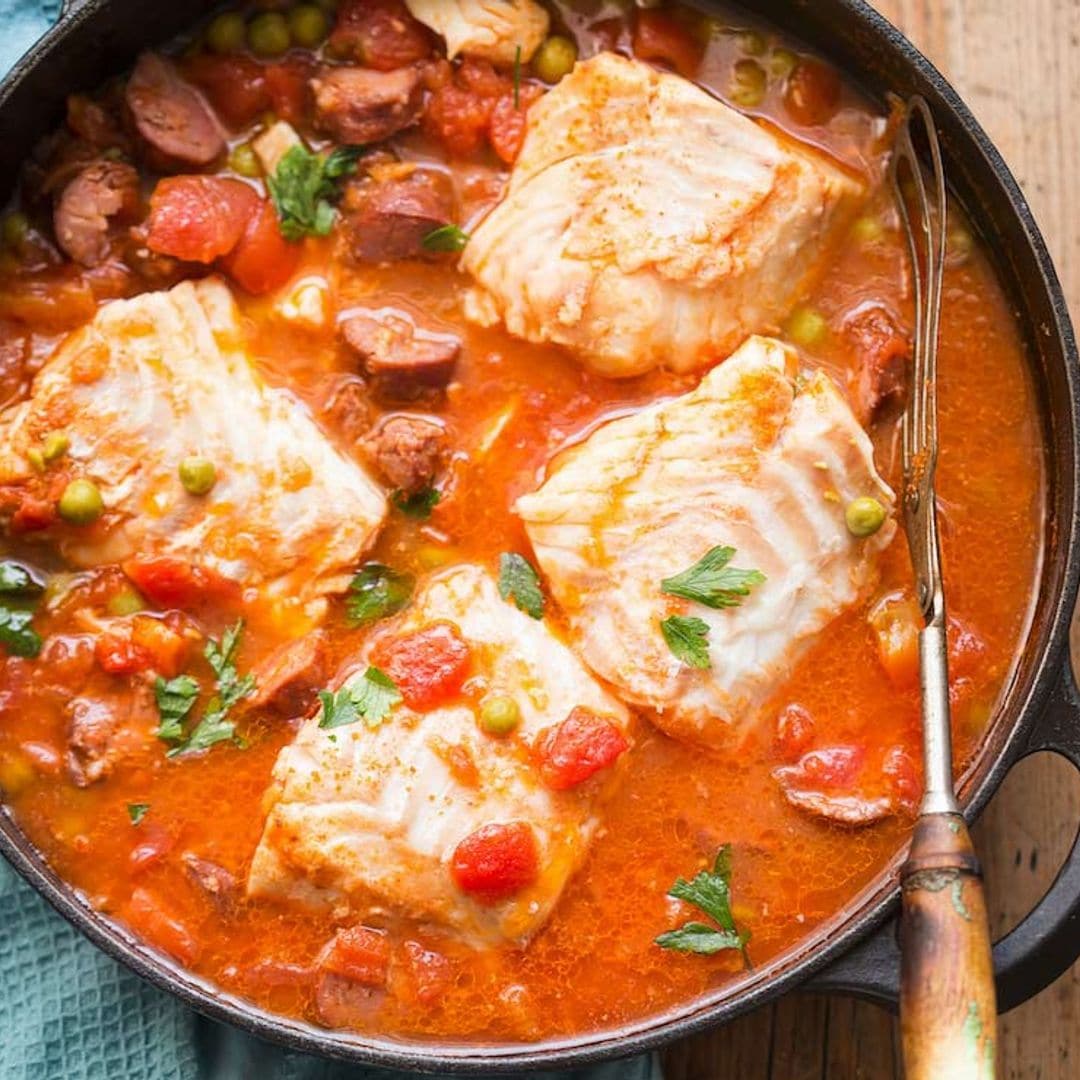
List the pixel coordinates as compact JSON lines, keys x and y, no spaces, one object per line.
{"x":163,"y":376}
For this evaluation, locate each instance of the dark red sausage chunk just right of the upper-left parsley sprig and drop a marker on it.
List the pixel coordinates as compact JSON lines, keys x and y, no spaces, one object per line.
{"x":389,"y":221}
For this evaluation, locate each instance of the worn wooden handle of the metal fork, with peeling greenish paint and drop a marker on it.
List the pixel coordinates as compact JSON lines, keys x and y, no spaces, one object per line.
{"x":948,"y":1006}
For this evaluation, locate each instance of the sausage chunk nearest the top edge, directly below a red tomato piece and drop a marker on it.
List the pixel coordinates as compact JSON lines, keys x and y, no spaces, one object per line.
{"x":360,"y":106}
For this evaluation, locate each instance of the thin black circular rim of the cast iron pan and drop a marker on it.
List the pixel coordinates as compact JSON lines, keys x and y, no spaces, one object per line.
{"x":854,"y":926}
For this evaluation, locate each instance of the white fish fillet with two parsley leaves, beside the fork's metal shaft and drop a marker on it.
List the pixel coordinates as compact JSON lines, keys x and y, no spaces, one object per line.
{"x":747,"y":461}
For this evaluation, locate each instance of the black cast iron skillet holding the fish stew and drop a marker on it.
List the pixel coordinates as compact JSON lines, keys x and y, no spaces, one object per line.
{"x":856,"y":953}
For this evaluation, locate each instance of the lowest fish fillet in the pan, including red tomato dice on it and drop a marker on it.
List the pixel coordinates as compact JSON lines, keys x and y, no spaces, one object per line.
{"x":380,"y":817}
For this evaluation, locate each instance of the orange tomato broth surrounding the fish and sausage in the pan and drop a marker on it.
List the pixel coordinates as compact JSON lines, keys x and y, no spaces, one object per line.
{"x":595,"y":965}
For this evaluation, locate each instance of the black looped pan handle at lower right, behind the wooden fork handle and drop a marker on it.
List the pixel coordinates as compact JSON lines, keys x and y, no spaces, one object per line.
{"x":1035,"y":953}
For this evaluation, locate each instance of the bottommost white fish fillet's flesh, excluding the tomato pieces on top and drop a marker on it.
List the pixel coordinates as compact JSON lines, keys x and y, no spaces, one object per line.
{"x":373,"y":817}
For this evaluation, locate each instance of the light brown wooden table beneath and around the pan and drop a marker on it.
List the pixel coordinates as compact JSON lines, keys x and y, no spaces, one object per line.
{"x":1018,"y":65}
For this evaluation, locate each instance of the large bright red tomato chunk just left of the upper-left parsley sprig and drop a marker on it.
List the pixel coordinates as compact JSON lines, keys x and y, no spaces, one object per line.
{"x":199,"y":219}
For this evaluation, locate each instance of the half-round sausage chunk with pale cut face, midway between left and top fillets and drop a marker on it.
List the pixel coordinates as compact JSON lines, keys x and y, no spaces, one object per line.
{"x":398,"y":355}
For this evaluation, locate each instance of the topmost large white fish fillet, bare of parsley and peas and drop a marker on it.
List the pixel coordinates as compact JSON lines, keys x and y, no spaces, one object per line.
{"x":647,"y":224}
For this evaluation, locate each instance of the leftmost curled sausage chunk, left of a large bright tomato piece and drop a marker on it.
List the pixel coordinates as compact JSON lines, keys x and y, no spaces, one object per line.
{"x":103,"y":191}
